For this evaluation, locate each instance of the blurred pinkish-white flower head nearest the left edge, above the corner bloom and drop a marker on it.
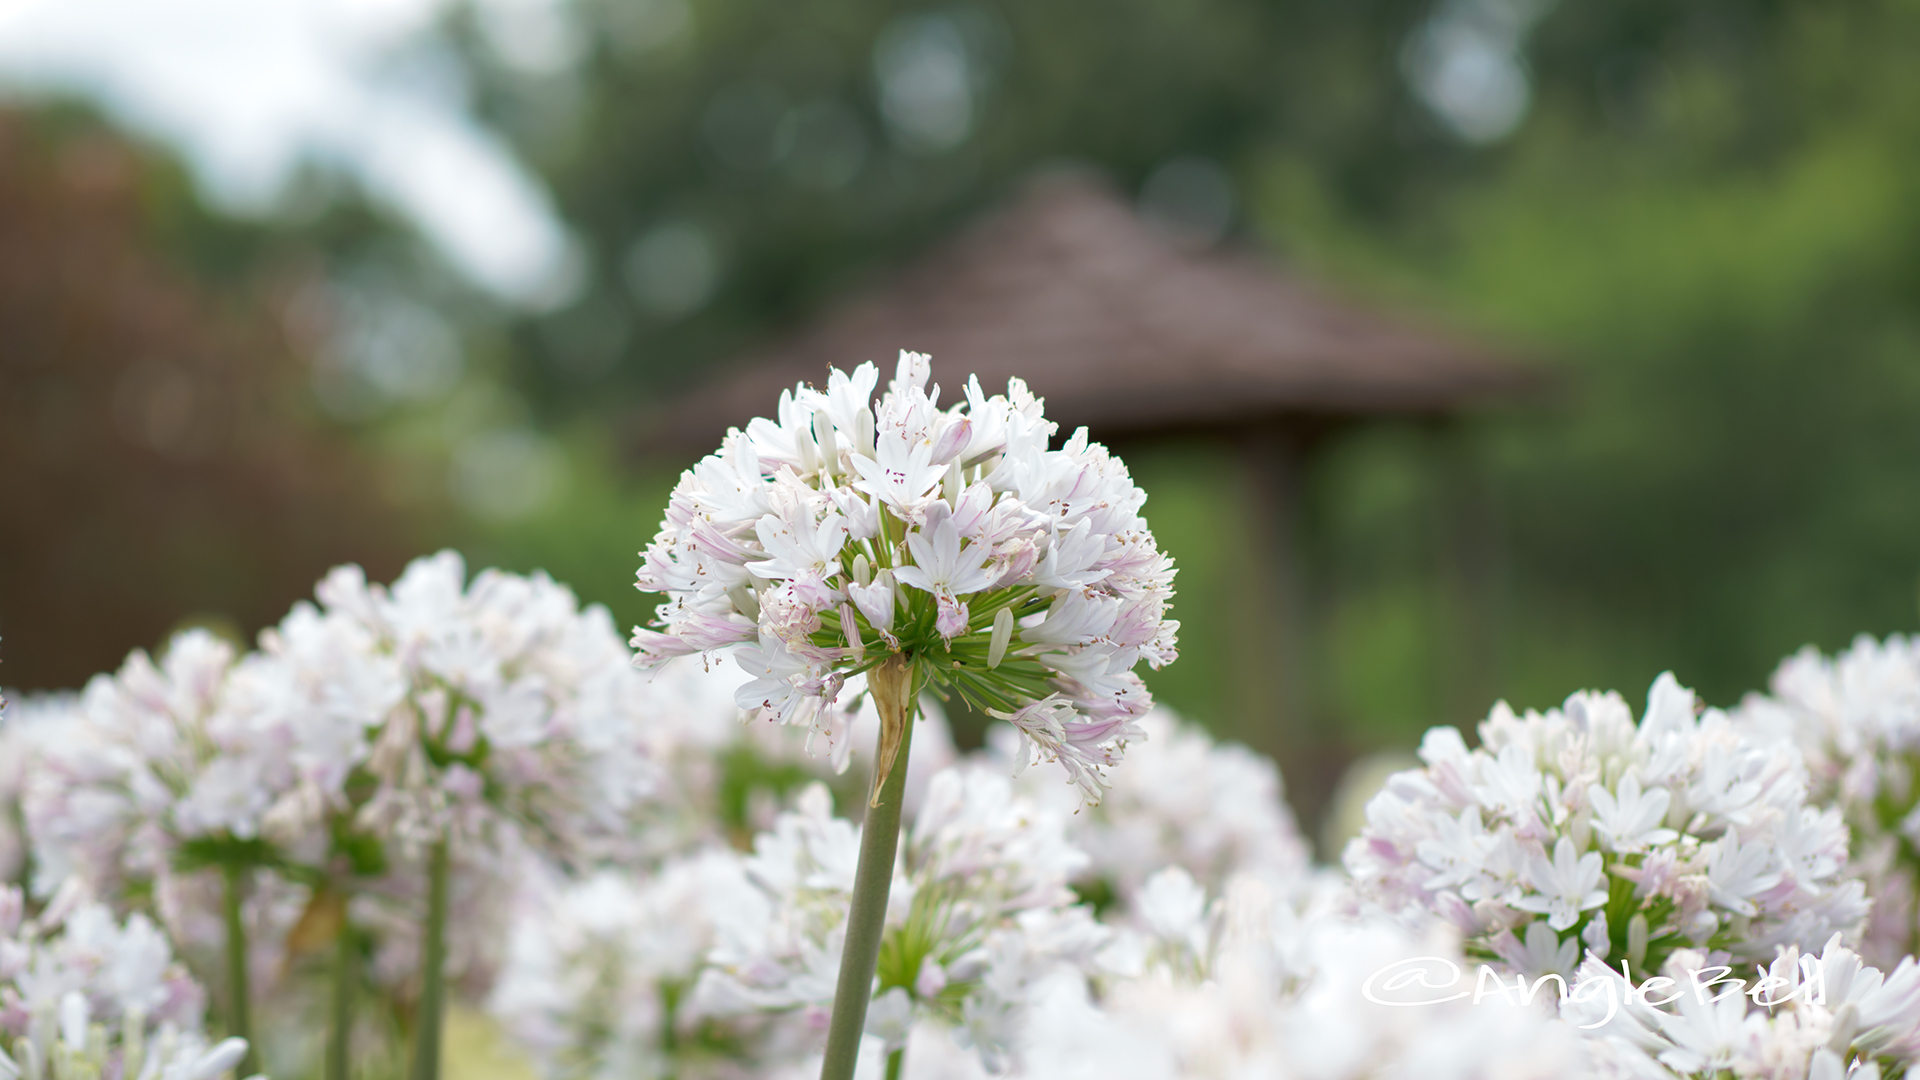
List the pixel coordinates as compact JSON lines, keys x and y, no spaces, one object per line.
{"x":158,"y":773}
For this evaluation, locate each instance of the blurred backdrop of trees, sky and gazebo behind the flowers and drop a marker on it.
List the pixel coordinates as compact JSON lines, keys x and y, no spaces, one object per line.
{"x":310,"y":282}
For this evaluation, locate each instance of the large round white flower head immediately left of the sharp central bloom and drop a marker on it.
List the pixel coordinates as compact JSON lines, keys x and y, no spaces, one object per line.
{"x":464,"y":708}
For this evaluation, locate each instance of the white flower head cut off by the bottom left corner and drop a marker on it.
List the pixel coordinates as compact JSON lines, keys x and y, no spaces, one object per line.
{"x":89,"y":998}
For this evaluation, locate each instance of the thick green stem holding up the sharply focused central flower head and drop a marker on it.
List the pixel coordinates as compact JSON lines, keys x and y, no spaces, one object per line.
{"x":880,"y":841}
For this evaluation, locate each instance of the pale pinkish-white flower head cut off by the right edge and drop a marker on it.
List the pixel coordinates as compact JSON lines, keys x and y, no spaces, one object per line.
{"x":1856,"y":718}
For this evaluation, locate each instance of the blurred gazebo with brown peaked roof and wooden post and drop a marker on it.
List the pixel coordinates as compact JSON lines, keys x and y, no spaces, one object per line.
{"x":1128,"y":331}
